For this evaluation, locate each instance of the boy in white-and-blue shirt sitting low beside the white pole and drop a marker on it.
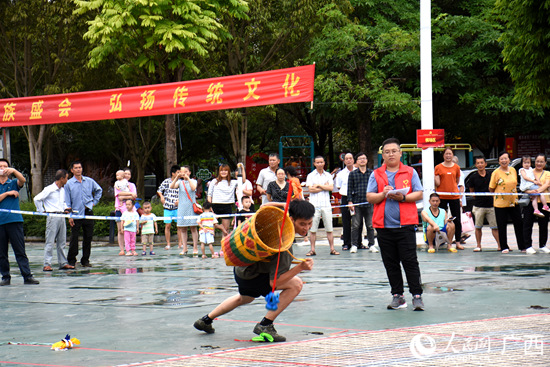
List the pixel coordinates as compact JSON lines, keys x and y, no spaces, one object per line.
{"x":434,"y":221}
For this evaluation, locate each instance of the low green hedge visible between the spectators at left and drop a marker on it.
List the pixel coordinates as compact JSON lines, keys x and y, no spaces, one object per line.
{"x":35,"y":225}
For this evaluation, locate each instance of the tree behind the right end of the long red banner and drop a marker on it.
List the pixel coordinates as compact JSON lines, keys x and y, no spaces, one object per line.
{"x":274,"y":35}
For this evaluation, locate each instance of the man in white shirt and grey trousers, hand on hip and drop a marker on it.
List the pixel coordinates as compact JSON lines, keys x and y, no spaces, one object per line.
{"x":52,"y":200}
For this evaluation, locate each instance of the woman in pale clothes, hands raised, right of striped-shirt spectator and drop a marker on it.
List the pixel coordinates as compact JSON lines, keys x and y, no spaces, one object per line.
{"x":186,"y":216}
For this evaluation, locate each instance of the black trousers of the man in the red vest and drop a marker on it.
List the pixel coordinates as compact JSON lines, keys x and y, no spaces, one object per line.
{"x":398,"y":247}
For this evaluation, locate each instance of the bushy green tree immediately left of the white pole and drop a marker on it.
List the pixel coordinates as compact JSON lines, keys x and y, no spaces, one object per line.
{"x":358,"y":70}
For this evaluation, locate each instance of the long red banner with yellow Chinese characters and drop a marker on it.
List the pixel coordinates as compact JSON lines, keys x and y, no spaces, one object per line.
{"x":247,"y":90}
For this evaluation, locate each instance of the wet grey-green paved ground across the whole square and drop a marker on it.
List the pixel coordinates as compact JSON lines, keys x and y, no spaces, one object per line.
{"x":481,"y":309}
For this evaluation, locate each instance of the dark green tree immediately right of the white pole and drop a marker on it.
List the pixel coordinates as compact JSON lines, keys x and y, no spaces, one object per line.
{"x":473,"y":95}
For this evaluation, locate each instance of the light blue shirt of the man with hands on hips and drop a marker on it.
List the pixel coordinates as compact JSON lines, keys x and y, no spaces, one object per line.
{"x":81,"y":195}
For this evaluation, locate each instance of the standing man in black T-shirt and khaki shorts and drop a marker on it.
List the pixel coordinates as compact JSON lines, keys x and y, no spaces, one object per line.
{"x":483,"y":205}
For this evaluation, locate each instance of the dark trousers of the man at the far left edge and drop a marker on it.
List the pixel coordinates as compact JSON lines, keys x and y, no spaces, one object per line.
{"x":13,"y":233}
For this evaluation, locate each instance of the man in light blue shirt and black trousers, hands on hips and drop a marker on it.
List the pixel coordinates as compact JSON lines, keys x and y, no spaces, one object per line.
{"x":82,"y":193}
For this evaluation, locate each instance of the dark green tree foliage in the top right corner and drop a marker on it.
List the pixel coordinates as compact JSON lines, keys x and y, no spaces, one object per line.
{"x":526,"y":52}
